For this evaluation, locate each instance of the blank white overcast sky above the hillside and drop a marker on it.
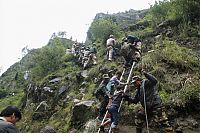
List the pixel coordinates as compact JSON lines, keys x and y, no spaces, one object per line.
{"x":32,"y":22}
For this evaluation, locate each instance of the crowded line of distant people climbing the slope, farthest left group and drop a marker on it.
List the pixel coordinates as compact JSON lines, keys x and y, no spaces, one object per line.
{"x":86,"y":55}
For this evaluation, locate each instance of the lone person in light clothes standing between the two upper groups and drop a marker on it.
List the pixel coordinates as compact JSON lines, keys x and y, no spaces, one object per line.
{"x":110,"y":47}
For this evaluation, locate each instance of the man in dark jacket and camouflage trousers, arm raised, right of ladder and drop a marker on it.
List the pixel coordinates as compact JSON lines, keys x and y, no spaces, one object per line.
{"x":152,"y":101}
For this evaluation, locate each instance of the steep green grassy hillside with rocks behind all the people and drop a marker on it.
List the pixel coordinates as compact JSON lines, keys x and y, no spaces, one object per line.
{"x":170,"y":52}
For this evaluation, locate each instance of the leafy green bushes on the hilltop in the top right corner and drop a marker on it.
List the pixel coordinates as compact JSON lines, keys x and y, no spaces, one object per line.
{"x":187,"y":11}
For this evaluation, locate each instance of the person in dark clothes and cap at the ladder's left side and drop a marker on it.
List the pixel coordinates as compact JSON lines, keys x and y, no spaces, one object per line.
{"x":102,"y":96}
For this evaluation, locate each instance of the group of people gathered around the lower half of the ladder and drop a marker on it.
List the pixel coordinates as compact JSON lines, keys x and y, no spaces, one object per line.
{"x":145,"y":88}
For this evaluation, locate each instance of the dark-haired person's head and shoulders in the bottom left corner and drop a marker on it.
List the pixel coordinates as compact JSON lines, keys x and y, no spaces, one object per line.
{"x":8,"y":118}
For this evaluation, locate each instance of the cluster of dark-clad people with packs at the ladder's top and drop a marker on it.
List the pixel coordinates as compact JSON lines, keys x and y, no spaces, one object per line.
{"x":131,"y":50}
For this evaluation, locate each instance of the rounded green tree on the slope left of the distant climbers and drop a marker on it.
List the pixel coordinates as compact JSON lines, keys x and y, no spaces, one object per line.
{"x":48,"y":59}
